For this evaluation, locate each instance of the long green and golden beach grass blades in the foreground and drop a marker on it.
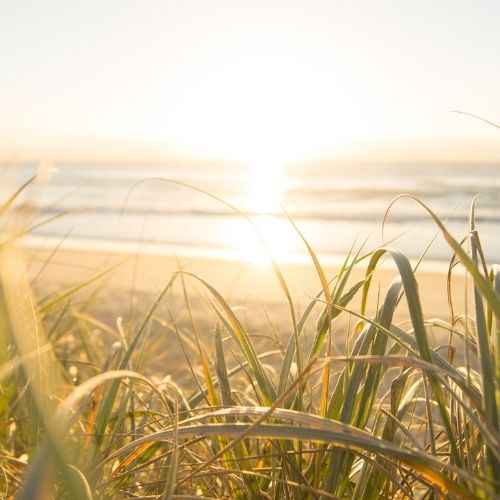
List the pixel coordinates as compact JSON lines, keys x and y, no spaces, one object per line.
{"x":94,"y":407}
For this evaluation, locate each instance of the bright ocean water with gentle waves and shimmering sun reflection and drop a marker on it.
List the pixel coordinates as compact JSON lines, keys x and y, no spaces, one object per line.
{"x":336,"y":206}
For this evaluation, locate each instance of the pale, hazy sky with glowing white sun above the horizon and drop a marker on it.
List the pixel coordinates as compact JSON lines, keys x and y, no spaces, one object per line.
{"x":246,"y":79}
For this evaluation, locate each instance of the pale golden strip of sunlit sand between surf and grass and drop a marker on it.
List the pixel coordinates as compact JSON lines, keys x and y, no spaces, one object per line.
{"x":238,"y":282}
